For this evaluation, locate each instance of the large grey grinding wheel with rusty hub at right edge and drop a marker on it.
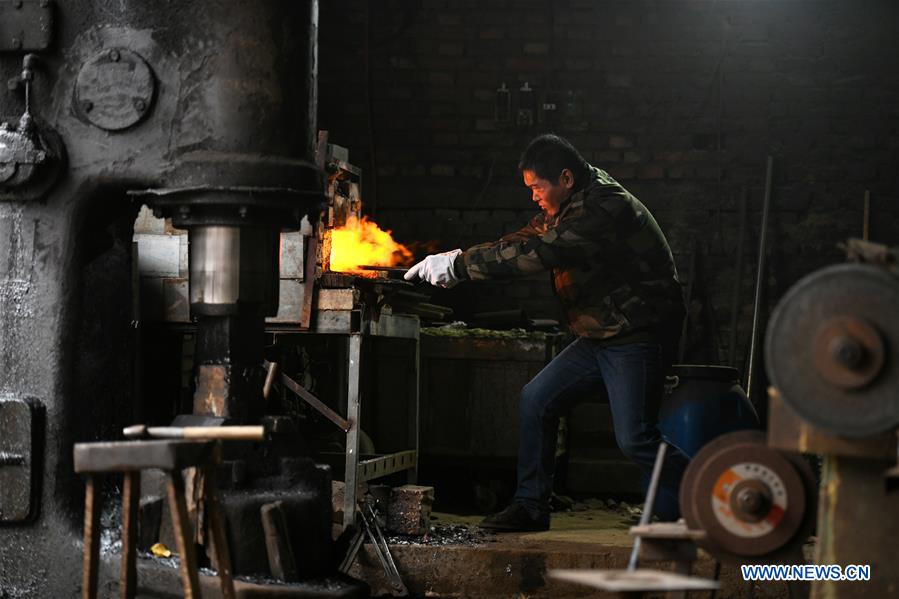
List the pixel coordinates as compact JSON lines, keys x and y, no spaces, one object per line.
{"x":829,"y":345}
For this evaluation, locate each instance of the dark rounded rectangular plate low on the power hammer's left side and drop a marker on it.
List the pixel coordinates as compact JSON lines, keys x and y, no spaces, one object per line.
{"x":17,"y":466}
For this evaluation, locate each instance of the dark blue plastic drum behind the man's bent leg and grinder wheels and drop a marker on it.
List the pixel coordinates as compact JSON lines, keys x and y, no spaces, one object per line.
{"x":701,"y":403}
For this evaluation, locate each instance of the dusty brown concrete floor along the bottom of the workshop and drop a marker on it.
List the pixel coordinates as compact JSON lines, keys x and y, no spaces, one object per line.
{"x":468,"y":563}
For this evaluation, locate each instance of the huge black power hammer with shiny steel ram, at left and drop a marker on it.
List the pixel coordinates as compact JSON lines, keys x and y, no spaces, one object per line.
{"x":205,"y":112}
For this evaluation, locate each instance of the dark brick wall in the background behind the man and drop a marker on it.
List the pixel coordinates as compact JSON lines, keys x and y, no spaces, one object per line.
{"x":680,"y":101}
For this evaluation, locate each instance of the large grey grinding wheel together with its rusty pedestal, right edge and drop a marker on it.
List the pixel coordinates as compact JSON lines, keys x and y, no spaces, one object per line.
{"x":831,"y":355}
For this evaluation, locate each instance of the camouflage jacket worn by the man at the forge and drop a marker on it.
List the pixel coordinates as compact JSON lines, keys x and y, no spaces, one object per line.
{"x":611,"y":266}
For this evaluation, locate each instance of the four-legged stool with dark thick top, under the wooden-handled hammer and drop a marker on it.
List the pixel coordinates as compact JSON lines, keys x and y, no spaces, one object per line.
{"x":130,"y":457}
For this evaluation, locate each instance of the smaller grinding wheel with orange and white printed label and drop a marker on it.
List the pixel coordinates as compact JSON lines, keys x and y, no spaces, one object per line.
{"x":754,"y":503}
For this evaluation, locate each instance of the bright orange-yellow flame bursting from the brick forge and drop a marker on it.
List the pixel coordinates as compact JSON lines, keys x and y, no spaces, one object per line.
{"x":363,"y":242}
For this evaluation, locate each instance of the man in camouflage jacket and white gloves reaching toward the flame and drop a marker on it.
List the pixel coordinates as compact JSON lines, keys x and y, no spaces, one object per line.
{"x":615,"y":276}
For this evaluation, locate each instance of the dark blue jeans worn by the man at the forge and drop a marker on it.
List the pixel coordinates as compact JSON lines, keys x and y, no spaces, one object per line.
{"x":633,"y":376}
